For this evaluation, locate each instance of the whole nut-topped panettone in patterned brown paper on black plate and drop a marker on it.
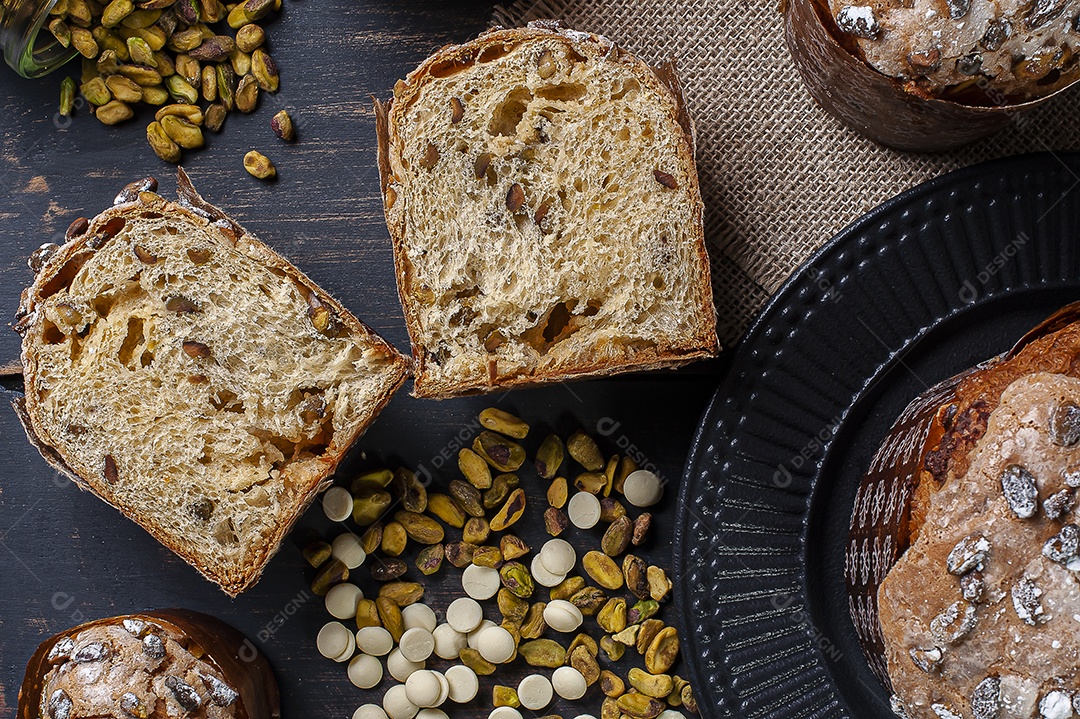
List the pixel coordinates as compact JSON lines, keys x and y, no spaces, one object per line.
{"x":964,"y":557}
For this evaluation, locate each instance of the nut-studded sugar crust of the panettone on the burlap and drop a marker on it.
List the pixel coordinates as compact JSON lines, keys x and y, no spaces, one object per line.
{"x":987,"y":52}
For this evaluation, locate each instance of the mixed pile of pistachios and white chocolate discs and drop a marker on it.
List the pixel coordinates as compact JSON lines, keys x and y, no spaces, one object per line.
{"x":601,"y":603}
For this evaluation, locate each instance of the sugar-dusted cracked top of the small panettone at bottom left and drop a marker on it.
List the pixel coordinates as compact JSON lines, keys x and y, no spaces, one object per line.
{"x":128,"y":675}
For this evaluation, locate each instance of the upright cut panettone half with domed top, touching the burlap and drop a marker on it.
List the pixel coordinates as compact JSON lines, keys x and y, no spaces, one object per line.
{"x":547,"y":216}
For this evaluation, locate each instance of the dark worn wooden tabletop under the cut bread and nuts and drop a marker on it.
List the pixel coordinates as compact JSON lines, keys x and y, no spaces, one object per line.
{"x":65,"y":557}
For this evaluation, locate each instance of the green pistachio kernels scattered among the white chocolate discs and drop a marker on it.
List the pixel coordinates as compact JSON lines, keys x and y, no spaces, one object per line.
{"x":458,"y":527}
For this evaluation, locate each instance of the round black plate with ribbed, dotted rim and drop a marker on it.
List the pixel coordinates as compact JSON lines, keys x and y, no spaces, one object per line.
{"x":933,"y":282}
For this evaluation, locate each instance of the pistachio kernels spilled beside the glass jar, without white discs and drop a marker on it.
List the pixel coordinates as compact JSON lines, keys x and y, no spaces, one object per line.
{"x":195,"y":60}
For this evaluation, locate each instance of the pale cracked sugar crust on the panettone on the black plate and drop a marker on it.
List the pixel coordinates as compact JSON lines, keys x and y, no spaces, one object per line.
{"x":1030,"y":659}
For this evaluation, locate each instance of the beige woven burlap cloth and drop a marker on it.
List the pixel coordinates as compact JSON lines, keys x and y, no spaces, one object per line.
{"x":779,"y":175}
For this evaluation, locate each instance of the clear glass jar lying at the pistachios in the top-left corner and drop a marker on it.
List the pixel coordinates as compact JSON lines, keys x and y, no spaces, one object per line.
{"x":28,"y":49}
